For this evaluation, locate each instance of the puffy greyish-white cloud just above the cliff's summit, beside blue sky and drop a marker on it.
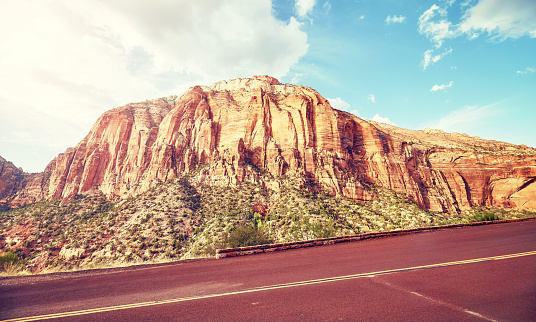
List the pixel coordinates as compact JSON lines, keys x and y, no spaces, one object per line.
{"x":211,"y":38}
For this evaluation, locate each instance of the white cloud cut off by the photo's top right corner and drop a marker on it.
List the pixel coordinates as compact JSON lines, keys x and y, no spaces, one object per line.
{"x":501,"y":19}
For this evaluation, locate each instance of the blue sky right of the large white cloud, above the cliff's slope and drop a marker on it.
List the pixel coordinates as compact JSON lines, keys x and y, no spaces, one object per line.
{"x":481,"y":85}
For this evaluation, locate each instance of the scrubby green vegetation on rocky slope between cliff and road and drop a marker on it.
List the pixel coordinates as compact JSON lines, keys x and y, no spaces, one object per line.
{"x":183,"y":219}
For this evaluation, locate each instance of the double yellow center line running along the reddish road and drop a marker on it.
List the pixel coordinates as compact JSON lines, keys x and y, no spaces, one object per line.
{"x":265,"y":288}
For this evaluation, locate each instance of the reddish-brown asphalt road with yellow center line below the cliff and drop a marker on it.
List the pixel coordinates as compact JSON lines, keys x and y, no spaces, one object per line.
{"x":462,"y":274}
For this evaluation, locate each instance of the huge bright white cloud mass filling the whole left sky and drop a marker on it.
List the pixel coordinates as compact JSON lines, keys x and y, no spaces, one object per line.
{"x":65,"y":62}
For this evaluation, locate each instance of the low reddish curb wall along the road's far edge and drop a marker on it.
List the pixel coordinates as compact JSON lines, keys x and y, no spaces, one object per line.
{"x":242,"y":251}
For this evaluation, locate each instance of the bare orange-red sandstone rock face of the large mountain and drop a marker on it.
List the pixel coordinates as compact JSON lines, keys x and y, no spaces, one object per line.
{"x":233,"y":129}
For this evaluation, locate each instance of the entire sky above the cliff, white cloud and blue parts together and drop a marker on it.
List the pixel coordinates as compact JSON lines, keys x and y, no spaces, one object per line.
{"x":466,"y":66}
